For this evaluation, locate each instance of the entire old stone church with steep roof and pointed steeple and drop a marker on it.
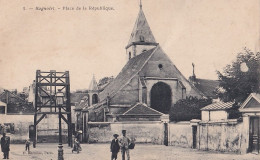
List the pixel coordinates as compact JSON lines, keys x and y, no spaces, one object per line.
{"x":147,"y":86}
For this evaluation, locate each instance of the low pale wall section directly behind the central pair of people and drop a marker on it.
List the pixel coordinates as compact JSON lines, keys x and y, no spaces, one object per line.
{"x":141,"y":132}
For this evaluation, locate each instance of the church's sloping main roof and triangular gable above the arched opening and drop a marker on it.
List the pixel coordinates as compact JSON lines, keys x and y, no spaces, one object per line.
{"x":138,"y":65}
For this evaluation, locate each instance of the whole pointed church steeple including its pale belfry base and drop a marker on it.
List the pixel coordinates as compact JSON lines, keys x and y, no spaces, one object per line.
{"x":141,"y":38}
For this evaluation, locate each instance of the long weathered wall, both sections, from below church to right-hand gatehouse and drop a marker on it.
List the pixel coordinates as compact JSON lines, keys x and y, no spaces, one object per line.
{"x":224,"y":136}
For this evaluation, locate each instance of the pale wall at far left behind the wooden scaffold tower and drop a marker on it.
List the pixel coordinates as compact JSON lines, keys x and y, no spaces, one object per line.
{"x":47,"y":129}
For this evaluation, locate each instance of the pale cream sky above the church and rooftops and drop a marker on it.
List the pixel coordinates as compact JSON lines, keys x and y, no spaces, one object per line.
{"x":86,"y":42}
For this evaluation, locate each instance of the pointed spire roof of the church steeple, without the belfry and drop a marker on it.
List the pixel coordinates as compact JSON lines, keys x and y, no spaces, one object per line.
{"x":141,"y":32}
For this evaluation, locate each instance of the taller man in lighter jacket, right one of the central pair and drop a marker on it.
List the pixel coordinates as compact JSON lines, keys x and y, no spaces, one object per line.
{"x":124,"y":143}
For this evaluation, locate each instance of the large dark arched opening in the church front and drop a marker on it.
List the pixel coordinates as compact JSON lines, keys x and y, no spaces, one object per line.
{"x":161,"y":97}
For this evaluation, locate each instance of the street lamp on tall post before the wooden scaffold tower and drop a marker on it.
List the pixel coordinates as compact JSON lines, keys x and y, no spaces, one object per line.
{"x":59,"y":102}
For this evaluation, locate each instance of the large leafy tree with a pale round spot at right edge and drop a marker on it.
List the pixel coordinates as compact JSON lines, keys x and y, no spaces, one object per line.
{"x":240,"y":78}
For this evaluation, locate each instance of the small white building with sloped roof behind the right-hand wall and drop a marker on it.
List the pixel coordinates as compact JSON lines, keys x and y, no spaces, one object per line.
{"x":216,"y":111}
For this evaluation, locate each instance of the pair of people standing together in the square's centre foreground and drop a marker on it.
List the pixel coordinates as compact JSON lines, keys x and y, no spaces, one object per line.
{"x":123,"y":143}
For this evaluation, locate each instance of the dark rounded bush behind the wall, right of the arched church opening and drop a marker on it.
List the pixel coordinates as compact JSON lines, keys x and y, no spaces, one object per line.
{"x":188,"y":109}
